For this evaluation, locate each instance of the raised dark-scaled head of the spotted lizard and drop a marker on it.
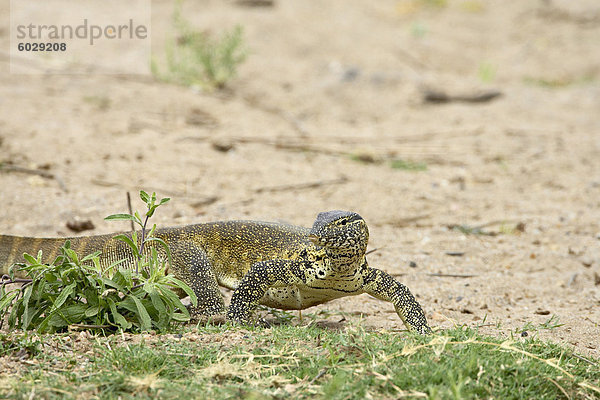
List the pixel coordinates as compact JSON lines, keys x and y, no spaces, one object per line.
{"x":340,"y":230}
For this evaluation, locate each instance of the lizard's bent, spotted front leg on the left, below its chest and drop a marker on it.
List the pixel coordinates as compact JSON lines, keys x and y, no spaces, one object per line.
{"x":262,"y":276}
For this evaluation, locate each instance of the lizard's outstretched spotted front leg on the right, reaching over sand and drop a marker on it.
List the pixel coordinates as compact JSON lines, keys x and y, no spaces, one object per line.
{"x":382,"y":286}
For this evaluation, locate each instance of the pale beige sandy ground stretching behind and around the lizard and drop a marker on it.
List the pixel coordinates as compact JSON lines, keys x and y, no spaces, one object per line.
{"x":327,"y":80}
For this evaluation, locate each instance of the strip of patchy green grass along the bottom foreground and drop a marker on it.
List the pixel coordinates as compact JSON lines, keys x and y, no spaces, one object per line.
{"x":299,"y":362}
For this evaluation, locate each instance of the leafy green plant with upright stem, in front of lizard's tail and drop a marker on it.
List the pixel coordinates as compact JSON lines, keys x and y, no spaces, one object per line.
{"x":82,"y":293}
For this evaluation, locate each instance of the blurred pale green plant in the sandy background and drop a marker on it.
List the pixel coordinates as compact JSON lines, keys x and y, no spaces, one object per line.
{"x":196,"y":59}
